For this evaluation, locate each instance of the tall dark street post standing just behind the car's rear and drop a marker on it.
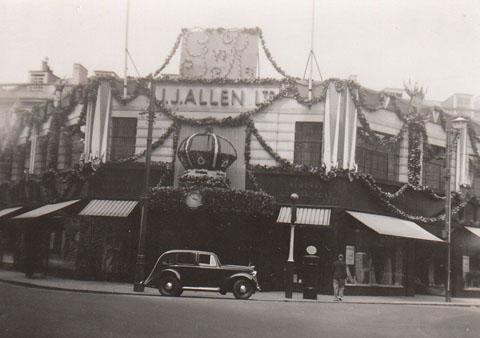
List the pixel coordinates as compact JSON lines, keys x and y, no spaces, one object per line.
{"x":140,"y":263}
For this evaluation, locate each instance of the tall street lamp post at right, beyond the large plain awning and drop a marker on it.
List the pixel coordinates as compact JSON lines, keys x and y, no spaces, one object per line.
{"x":453,"y":132}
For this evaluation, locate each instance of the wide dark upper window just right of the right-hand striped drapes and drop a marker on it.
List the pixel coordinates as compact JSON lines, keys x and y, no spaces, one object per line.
{"x":382,"y":162}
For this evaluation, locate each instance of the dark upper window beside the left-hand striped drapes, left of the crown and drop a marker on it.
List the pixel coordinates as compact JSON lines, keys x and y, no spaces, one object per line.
{"x":124,"y":137}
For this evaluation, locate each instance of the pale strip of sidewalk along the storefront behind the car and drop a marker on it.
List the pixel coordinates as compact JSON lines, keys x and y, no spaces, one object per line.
{"x":115,"y":288}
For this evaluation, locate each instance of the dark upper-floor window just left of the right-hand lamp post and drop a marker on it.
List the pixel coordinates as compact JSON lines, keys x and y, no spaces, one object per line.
{"x":434,"y":168}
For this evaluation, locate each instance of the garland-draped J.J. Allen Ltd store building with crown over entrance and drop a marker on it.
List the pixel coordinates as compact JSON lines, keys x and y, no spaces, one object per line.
{"x":229,"y":149}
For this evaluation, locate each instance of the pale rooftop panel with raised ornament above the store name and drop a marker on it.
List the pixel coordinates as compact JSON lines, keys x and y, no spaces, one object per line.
{"x":219,"y":53}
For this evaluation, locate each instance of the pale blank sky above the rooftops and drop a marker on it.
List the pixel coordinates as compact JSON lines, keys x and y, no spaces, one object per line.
{"x":384,"y":43}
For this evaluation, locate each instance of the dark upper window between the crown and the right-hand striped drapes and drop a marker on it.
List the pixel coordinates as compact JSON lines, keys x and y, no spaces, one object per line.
{"x":308,"y":143}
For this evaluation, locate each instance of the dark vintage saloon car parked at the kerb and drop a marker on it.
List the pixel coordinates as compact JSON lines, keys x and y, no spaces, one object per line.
{"x":180,"y":270}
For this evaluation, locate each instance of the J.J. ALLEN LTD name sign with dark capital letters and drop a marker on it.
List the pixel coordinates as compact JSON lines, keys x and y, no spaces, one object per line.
{"x":213,"y":97}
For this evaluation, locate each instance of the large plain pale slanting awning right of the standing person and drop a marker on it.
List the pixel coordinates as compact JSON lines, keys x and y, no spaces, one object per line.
{"x":392,"y":226}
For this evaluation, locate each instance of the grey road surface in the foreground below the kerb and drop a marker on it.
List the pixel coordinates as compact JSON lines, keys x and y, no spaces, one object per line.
{"x":30,"y":312}
